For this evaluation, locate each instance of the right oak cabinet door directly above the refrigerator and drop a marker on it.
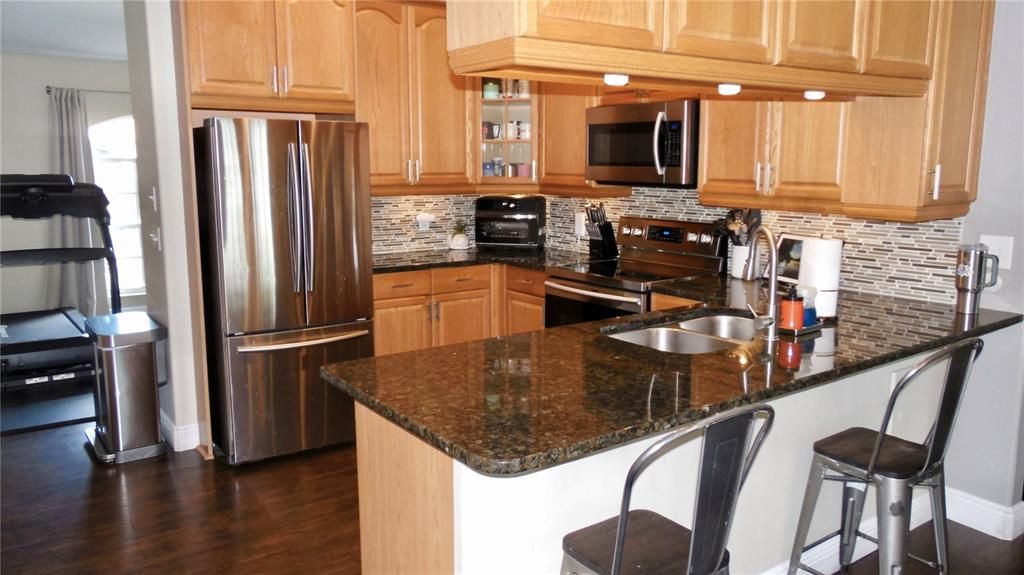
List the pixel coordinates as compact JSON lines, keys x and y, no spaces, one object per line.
{"x":316,"y":50}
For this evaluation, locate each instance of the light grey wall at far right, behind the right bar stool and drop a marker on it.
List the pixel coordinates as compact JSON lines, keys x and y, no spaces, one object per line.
{"x":993,"y":430}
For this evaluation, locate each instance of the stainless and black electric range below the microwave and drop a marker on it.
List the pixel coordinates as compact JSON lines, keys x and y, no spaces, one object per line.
{"x":652,"y":251}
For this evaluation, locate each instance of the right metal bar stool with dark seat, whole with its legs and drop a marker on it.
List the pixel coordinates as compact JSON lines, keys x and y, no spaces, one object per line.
{"x":894,"y":466}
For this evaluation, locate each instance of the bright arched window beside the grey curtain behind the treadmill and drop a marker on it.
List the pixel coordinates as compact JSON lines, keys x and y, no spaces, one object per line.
{"x":113,"y":145}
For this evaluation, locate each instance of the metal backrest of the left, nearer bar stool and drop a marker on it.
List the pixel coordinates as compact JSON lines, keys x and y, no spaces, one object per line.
{"x":727,"y":457}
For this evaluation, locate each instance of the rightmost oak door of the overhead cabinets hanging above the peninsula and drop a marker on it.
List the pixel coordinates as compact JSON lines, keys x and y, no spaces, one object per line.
{"x":901,"y":38}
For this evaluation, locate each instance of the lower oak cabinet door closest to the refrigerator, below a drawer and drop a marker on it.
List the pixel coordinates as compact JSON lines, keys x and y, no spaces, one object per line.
{"x":402,"y":325}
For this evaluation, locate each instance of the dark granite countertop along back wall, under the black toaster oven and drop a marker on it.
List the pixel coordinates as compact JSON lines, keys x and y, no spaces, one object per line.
{"x":426,"y":259}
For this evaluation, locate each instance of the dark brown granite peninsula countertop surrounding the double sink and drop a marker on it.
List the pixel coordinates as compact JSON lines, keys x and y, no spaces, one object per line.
{"x":521,"y":404}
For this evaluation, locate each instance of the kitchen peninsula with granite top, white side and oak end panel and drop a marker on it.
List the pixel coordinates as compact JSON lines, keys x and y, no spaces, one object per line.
{"x":480,"y":457}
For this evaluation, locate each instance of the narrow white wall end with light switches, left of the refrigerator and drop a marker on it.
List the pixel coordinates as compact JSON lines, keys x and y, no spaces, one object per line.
{"x":155,"y":93}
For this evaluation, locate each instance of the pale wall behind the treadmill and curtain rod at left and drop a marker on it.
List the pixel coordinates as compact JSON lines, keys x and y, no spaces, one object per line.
{"x":25,"y":145}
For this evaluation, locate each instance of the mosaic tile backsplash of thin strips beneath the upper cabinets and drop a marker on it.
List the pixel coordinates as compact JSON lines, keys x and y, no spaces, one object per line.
{"x":907,"y":260}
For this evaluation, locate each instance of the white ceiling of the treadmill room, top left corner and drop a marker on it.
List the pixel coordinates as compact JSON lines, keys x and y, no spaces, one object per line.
{"x":77,"y":28}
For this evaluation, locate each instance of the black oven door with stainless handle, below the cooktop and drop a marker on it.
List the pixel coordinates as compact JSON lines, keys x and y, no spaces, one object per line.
{"x":572,"y":302}
